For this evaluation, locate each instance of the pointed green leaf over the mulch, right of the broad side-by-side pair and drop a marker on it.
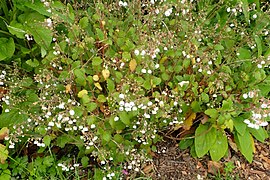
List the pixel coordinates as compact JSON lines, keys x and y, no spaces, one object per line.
{"x":245,"y":144}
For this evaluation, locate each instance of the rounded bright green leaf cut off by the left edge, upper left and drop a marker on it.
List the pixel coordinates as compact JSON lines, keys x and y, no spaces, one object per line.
{"x":7,"y":48}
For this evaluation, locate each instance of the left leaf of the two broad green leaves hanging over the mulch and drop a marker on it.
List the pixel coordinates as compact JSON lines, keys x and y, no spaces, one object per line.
{"x":205,"y":137}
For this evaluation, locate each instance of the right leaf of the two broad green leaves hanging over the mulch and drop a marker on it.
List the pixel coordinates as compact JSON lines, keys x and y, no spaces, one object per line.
{"x":219,"y":149}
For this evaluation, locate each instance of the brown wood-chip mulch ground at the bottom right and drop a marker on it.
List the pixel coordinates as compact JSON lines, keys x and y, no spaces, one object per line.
{"x":171,"y":163}
